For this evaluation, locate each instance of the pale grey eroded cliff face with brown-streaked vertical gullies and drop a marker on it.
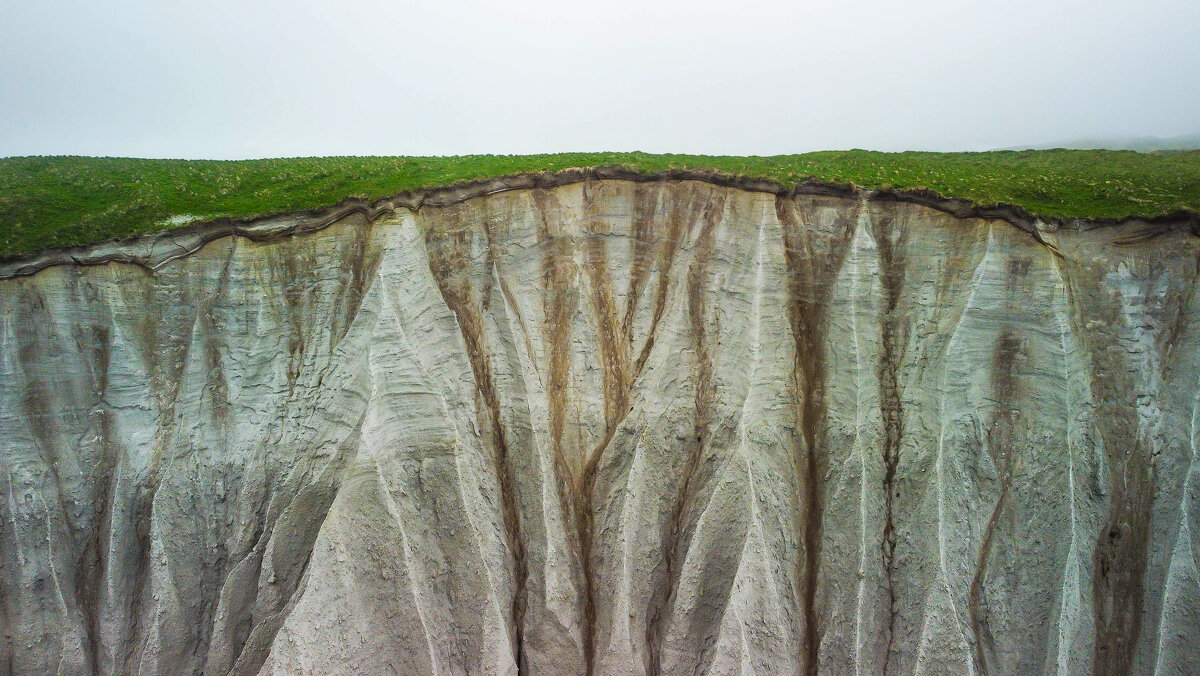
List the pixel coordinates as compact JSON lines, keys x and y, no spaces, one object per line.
{"x":610,"y":428}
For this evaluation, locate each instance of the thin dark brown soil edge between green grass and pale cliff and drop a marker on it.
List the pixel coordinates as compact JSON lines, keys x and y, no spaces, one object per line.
{"x":157,"y":249}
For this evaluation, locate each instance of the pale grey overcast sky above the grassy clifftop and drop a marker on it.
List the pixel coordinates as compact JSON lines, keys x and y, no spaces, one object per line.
{"x":248,"y":79}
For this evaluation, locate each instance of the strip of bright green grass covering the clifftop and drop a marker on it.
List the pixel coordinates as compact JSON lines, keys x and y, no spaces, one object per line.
{"x":47,"y":202}
